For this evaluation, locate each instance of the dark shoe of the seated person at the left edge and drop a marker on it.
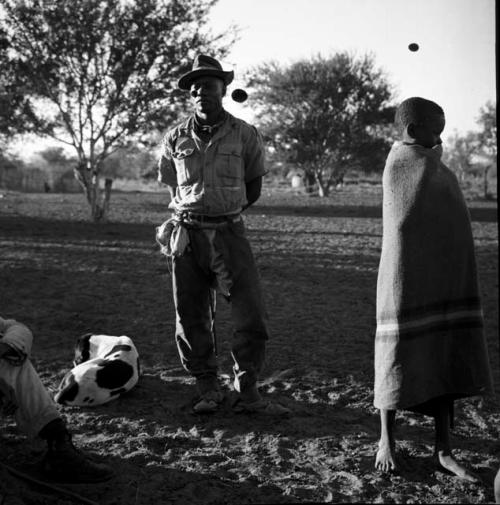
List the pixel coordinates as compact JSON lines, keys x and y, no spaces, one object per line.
{"x":66,"y":463}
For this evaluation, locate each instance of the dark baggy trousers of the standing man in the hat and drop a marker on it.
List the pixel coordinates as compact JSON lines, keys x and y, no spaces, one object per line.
{"x":193,"y":277}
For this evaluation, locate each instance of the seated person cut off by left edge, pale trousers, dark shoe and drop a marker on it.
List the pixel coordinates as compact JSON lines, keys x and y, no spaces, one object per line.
{"x":23,"y":395}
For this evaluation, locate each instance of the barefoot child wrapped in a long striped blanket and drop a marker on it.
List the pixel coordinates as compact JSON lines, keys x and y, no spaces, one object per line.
{"x":430,"y":348}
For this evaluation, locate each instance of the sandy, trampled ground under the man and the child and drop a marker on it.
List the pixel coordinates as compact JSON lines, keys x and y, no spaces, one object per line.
{"x":318,"y":259}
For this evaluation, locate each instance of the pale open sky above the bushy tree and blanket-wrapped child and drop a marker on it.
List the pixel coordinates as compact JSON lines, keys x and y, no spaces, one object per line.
{"x":454,"y":66}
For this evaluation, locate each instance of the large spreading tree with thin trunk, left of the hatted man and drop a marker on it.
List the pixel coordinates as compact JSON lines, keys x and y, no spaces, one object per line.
{"x":93,"y":73}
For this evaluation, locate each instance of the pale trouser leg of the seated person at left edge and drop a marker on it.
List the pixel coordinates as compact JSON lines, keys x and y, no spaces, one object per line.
{"x":35,"y":406}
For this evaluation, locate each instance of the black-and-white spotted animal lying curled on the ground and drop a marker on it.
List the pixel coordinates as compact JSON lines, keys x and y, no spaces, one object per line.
{"x":105,"y":367}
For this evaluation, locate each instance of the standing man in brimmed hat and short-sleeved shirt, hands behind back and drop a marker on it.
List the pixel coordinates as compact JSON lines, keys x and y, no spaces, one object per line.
{"x":213,"y":165}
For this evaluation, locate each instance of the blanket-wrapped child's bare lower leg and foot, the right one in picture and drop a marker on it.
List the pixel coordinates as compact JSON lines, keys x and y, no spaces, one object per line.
{"x":442,"y":444}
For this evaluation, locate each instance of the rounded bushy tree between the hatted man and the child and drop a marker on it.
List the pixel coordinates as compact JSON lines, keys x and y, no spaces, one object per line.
{"x":325,"y":115}
